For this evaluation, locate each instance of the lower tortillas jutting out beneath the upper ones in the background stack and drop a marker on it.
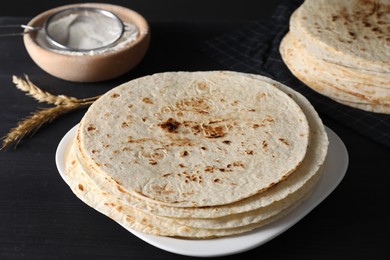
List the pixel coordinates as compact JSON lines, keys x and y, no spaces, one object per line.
{"x":333,"y":83}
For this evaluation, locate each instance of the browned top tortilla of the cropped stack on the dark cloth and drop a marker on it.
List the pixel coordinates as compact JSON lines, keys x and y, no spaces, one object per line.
{"x":352,"y":33}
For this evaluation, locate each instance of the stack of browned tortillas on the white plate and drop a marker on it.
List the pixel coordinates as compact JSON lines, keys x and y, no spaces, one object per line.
{"x":197,"y":154}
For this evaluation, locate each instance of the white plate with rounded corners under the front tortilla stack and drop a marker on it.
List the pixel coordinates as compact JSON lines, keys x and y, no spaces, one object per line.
{"x":335,"y":167}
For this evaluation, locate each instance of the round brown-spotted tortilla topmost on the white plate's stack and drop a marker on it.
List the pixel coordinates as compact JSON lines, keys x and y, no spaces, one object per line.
{"x":189,"y":139}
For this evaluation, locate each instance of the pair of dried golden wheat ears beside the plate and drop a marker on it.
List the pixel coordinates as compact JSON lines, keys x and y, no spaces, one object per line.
{"x":32,"y":123}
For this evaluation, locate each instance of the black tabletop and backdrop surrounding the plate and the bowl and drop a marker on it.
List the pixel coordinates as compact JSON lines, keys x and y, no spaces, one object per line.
{"x":40,"y":218}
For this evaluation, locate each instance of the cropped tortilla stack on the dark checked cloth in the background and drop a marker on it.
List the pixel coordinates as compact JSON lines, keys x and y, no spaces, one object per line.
{"x":341,"y":49}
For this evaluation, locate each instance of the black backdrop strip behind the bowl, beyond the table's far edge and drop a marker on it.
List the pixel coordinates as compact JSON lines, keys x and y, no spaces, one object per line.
{"x":166,"y":10}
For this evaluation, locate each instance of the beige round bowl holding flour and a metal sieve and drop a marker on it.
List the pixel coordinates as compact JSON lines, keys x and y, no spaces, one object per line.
{"x":96,"y":67}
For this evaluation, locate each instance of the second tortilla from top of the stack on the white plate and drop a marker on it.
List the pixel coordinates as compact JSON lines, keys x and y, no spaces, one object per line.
{"x":308,"y":168}
